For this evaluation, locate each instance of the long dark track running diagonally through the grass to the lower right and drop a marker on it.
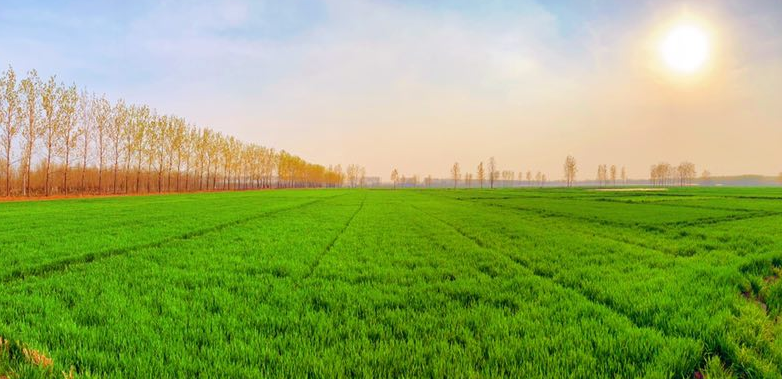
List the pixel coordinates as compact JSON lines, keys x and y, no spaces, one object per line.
{"x":608,"y":305}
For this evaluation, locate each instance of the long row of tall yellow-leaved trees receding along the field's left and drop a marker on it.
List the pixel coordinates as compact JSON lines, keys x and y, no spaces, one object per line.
{"x":56,"y":139}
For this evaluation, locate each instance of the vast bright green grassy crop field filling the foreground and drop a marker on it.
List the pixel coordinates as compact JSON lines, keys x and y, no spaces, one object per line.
{"x":381,"y":283}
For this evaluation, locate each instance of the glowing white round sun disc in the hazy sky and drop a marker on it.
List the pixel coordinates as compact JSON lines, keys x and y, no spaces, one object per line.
{"x":685,"y":48}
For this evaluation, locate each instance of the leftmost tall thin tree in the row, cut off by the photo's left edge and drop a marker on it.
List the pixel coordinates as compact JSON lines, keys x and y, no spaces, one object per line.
{"x":9,"y":119}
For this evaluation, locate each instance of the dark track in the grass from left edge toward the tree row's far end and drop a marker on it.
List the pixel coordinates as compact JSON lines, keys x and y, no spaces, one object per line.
{"x":64,"y":264}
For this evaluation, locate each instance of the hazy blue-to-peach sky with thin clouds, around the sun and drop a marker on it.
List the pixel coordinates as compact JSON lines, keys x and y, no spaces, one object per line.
{"x":418,"y":85}
